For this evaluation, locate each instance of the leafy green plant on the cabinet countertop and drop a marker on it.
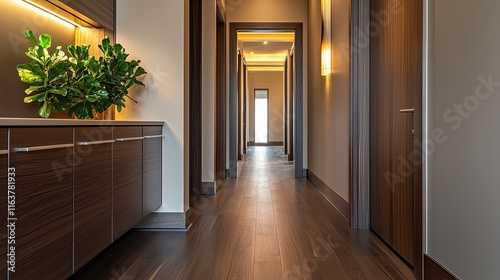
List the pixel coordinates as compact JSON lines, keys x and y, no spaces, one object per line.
{"x":80,"y":84}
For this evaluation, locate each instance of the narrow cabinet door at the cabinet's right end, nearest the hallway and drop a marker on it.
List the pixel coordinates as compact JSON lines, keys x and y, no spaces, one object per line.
{"x":152,"y":155}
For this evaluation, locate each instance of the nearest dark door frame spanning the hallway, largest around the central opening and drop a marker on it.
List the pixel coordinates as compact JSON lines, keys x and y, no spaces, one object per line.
{"x":234,"y":27}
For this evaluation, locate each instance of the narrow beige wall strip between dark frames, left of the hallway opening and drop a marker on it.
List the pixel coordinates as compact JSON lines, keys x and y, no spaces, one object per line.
{"x":209,"y":19}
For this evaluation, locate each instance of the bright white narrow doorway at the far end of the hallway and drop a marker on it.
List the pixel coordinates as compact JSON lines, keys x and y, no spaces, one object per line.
{"x":261,"y":116}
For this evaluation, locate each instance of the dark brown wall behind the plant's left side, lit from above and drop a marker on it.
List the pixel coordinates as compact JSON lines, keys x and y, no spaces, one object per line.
{"x":15,"y":17}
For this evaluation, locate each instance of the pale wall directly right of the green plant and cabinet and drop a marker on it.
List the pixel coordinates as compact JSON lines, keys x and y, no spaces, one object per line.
{"x":153,"y":31}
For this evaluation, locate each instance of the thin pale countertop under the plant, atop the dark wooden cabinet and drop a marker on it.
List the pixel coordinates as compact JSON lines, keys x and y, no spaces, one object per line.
{"x":34,"y":122}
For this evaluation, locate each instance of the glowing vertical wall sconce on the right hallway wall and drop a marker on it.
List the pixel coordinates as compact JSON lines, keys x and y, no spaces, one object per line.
{"x":326,"y":37}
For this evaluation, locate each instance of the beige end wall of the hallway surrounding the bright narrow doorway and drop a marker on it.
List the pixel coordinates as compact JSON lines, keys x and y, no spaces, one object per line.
{"x":272,"y":81}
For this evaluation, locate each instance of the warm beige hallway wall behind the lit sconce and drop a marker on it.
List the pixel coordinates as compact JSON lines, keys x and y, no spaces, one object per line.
{"x":329,"y":101}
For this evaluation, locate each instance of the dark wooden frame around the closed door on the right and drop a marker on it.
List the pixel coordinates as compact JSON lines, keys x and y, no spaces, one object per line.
{"x":359,"y":170}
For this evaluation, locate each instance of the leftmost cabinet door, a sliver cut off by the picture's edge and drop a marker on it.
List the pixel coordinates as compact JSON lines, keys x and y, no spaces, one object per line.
{"x":4,"y":156}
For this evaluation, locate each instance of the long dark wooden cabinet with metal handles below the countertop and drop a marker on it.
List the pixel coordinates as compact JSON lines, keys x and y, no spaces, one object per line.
{"x":75,"y":190}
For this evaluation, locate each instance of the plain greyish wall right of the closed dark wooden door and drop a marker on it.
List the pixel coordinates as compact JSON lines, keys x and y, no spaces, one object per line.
{"x":463,"y":206}
